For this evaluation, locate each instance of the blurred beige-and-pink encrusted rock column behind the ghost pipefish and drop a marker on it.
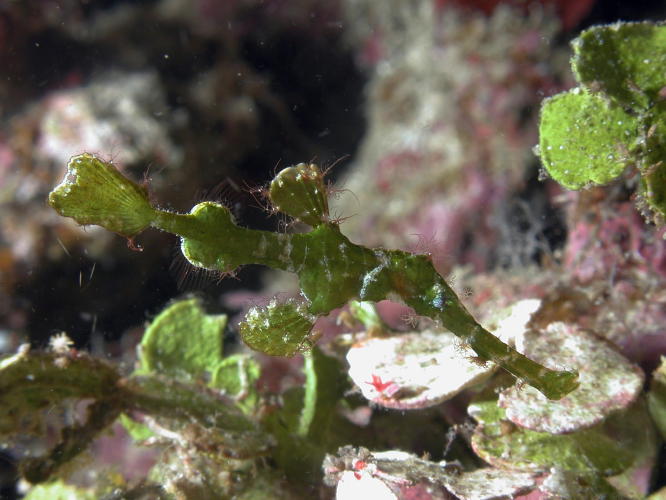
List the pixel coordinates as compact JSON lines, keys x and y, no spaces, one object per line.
{"x":451,"y":141}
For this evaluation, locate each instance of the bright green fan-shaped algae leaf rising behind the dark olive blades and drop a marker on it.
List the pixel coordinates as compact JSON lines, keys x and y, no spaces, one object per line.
{"x":183,"y":342}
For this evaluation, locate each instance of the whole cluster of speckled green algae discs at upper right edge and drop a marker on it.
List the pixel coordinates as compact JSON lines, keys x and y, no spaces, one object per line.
{"x":616,"y":118}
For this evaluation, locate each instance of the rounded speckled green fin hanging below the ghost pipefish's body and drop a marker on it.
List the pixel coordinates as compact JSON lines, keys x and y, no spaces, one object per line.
{"x":279,"y":329}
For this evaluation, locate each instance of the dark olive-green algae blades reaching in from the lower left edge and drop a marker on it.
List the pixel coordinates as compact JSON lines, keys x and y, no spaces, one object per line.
{"x":32,"y":384}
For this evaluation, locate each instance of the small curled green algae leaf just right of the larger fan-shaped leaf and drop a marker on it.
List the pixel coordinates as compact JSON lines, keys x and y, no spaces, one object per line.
{"x":237,"y":377}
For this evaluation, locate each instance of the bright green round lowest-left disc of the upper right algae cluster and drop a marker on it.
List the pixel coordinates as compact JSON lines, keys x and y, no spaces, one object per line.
{"x":583,"y":140}
